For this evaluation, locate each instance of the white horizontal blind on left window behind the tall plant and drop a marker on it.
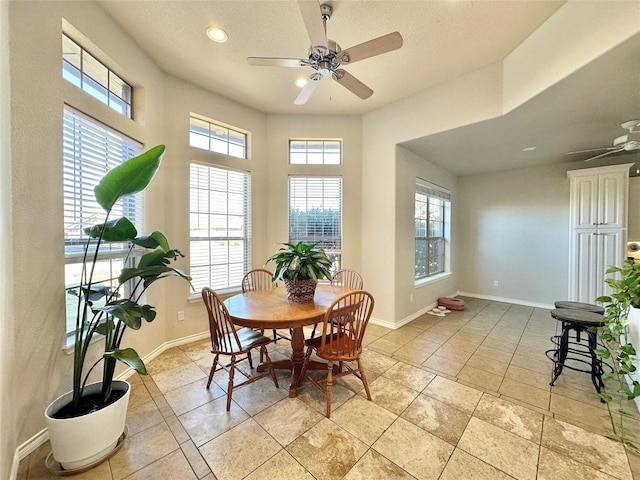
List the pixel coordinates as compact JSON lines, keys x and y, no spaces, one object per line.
{"x":90,"y":149}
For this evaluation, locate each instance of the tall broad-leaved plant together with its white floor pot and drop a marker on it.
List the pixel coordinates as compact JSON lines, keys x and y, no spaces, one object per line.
{"x":86,"y":424}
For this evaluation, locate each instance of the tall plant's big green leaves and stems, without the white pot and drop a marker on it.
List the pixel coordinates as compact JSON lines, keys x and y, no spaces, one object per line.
{"x":119,"y":311}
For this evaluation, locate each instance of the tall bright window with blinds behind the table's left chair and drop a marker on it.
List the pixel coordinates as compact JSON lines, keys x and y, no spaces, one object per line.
{"x":220,"y":226}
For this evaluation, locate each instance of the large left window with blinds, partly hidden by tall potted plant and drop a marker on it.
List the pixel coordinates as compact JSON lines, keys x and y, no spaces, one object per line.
{"x":90,"y":149}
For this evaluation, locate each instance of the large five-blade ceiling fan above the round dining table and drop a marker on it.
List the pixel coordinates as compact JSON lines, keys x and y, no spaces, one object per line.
{"x":326,"y":57}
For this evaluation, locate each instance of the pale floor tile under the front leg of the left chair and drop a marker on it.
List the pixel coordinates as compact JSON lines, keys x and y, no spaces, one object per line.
{"x":211,"y":420}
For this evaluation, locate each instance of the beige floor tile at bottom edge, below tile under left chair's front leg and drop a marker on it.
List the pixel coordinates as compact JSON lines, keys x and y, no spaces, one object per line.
{"x":230,"y":456}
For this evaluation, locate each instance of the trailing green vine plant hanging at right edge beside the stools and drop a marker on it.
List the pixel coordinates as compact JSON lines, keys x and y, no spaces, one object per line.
{"x":616,"y":347}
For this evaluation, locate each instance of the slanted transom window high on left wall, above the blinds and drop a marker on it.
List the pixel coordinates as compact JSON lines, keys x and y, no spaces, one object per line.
{"x":88,"y":73}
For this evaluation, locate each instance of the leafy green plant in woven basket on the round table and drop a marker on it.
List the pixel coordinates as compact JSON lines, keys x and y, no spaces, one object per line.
{"x":300,"y":266}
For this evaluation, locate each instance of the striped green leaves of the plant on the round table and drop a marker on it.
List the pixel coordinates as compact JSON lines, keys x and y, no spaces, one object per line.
{"x":300,"y":261}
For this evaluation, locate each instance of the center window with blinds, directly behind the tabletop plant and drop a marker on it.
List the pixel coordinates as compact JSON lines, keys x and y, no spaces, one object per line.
{"x":315,"y":213}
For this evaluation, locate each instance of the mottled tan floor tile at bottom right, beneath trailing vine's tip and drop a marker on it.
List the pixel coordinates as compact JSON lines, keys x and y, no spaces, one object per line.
{"x":585,"y":447}
